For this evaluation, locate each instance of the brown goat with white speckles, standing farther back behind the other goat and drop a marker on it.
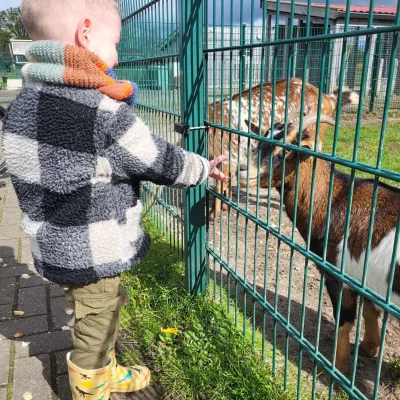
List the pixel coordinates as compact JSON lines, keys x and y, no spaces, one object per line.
{"x":227,"y":111}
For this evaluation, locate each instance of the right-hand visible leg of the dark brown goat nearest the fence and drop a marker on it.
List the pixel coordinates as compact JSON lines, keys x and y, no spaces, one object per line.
{"x":372,"y":337}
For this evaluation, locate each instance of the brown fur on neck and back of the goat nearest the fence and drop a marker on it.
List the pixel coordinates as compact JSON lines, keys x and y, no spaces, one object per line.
{"x":385,"y":217}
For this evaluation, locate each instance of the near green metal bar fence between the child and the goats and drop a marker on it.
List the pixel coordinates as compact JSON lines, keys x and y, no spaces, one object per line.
{"x":253,"y":255}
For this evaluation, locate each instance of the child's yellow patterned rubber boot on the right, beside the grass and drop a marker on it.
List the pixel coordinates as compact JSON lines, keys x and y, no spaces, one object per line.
{"x":126,"y":380}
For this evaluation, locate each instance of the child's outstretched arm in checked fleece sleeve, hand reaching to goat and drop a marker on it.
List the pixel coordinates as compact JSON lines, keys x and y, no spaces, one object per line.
{"x":138,"y":155}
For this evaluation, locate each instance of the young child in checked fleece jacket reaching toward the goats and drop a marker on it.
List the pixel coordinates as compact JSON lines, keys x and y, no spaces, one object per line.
{"x":77,"y":154}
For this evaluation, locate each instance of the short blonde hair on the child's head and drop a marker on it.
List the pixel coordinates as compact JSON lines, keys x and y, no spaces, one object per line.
{"x":34,"y":13}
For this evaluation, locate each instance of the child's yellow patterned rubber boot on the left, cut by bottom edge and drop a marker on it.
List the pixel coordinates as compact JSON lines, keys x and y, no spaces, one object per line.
{"x":91,"y":384}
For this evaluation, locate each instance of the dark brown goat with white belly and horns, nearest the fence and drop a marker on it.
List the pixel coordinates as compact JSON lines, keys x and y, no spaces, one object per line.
{"x":382,"y":246}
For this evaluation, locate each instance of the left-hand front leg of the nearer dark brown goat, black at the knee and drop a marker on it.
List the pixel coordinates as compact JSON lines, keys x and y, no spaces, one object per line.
{"x":348,"y":311}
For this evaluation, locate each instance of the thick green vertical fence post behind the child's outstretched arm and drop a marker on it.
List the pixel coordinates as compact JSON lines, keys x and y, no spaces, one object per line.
{"x":192,"y":77}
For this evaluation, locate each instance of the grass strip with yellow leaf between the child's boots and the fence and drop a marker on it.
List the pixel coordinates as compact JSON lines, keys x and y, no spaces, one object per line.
{"x":200,"y":354}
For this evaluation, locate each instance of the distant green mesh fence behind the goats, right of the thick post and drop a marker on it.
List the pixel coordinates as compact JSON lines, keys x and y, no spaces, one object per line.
{"x":377,"y":77}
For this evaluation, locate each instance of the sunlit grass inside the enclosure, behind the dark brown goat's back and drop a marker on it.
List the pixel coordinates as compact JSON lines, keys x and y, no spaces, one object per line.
{"x":368,"y":147}
